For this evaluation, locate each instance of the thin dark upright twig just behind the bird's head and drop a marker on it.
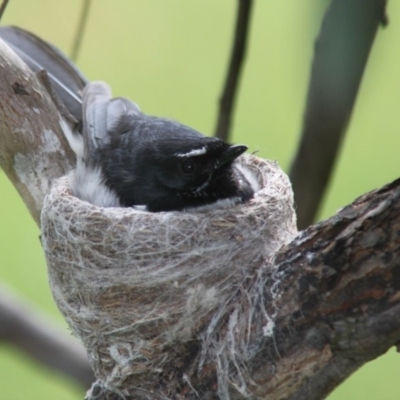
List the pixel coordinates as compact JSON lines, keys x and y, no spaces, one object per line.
{"x":227,"y":99}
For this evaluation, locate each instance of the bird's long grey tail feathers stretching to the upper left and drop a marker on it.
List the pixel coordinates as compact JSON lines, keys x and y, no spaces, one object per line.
{"x":67,"y":81}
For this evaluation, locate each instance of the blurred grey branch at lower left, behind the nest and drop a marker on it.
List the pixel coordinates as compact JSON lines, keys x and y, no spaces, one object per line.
{"x":25,"y":327}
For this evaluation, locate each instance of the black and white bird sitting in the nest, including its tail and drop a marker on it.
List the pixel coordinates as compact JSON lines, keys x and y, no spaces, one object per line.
{"x":127,"y":158}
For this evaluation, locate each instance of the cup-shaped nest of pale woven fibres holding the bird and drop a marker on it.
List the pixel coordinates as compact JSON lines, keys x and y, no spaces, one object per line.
{"x":132,"y":285}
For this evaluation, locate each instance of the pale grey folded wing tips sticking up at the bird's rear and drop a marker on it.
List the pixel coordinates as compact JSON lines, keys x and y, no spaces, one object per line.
{"x":104,"y":118}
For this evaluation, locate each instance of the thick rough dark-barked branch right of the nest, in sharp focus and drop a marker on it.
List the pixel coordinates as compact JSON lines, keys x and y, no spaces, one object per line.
{"x":339,"y":299}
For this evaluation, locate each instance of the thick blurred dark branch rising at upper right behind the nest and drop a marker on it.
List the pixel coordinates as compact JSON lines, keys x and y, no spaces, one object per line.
{"x":341,"y":53}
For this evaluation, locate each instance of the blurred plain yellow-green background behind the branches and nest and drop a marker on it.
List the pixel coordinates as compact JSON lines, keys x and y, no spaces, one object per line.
{"x":170,"y":57}
